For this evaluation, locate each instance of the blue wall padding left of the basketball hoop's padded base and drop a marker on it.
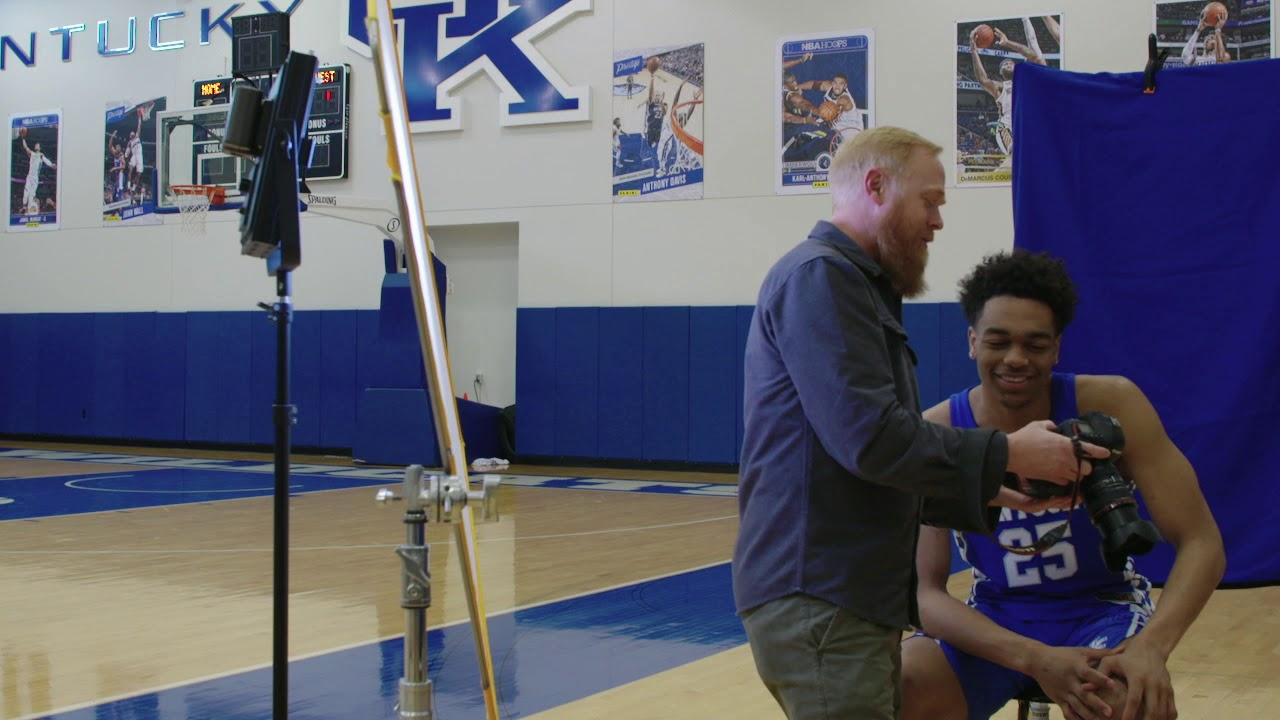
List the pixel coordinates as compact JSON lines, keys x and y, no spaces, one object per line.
{"x":175,"y":377}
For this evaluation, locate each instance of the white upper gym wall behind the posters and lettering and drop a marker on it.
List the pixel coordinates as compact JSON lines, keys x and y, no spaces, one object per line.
{"x":575,"y":247}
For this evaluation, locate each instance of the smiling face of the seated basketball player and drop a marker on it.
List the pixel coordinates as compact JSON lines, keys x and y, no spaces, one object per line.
{"x":1016,"y":347}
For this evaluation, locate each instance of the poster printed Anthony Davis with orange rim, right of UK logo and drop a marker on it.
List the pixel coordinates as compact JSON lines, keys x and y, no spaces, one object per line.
{"x":659,"y":124}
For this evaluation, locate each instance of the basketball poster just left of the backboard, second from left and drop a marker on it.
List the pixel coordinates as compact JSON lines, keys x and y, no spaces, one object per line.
{"x":130,"y":162}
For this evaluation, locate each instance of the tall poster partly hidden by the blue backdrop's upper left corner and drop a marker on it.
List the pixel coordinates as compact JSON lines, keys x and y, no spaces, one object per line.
{"x":988,"y":54}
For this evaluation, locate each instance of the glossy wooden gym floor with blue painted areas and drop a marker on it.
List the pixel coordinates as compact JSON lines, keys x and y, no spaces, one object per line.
{"x":138,"y":584}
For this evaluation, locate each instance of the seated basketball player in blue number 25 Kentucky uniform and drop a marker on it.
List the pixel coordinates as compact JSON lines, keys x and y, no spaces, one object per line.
{"x":1053,"y":618}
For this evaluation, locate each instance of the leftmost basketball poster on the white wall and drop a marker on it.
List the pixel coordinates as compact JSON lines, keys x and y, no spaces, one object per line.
{"x":34,"y":160}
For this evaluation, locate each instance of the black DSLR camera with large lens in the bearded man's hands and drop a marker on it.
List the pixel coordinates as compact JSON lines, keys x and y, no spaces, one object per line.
{"x":1108,"y":496}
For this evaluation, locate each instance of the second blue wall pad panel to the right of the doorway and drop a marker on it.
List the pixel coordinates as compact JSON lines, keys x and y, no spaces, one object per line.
{"x":578,"y":381}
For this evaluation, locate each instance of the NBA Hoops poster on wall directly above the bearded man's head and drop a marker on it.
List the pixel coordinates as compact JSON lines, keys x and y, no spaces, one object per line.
{"x":828,"y":97}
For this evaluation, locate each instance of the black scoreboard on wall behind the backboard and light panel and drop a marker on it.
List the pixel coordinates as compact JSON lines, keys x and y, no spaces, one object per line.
{"x":331,"y":115}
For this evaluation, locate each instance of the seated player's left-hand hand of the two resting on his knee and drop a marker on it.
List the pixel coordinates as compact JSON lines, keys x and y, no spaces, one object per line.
{"x":1068,"y":677}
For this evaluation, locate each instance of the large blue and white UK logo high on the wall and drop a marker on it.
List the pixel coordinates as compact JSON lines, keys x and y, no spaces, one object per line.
{"x":445,"y":44}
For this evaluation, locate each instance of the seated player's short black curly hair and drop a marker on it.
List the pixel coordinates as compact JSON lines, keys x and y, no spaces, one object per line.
{"x":1034,"y":276}
